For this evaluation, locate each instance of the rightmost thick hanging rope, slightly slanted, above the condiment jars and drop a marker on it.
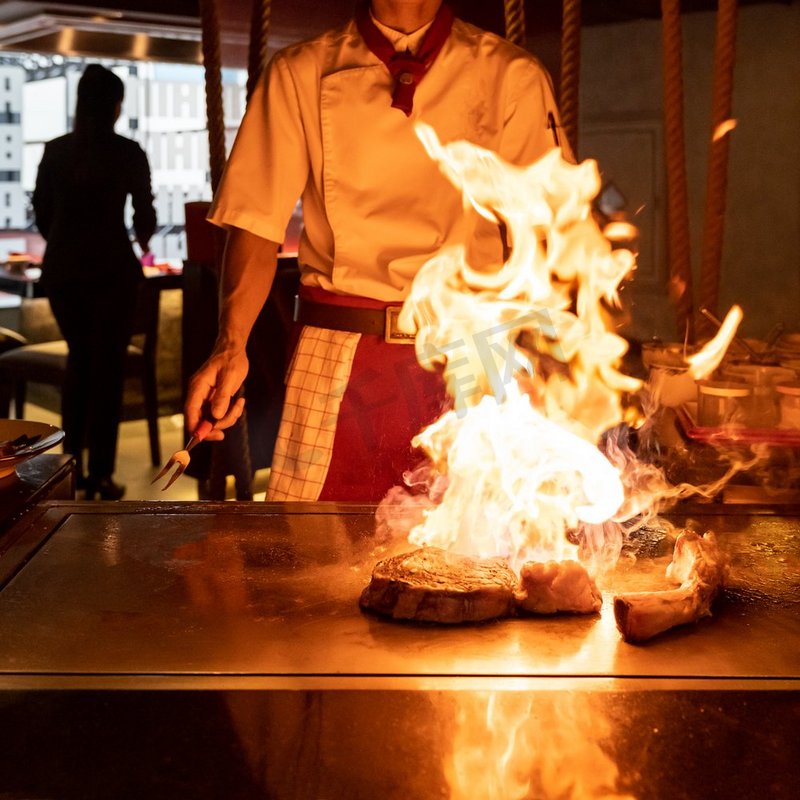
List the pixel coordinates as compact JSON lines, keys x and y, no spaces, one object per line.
{"x":717,"y":178}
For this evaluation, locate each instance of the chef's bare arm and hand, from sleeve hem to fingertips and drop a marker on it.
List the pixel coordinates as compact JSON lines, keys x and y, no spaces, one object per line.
{"x":248,"y":269}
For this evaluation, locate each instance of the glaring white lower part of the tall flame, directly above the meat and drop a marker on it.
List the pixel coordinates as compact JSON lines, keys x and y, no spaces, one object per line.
{"x":500,"y":481}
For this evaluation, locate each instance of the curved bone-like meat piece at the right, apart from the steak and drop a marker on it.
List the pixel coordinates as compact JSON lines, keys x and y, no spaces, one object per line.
{"x":699,"y":567}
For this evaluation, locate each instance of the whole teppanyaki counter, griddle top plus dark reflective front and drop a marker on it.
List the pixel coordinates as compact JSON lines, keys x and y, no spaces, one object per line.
{"x":210,"y":649}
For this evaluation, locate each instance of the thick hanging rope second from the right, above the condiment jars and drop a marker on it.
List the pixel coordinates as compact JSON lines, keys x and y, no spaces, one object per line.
{"x":678,"y":241}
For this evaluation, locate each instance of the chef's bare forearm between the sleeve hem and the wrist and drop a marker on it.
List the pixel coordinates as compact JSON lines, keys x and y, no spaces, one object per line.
{"x":249,"y":265}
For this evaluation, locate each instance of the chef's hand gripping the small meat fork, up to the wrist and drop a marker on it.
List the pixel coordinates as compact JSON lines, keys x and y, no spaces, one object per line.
{"x":213,"y":387}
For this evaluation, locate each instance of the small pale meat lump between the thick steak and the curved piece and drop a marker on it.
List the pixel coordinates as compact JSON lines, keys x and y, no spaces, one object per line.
{"x":557,"y":586}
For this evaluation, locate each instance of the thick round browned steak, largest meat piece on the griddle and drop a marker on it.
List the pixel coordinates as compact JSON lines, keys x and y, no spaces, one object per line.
{"x":432,"y":585}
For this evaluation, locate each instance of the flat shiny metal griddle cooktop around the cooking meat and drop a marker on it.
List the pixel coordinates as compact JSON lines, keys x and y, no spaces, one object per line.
{"x":272,"y":591}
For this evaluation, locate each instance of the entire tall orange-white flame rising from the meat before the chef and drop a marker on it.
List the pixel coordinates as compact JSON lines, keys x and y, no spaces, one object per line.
{"x":528,"y":359}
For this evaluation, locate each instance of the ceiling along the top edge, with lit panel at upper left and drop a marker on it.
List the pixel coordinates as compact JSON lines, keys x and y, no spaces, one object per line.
{"x":169,"y":30}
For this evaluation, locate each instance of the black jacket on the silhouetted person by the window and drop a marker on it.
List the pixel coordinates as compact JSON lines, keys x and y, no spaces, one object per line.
{"x":79,"y":203}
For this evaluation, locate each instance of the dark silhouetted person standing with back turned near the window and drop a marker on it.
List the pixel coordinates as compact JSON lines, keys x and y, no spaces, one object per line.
{"x":90,"y":272}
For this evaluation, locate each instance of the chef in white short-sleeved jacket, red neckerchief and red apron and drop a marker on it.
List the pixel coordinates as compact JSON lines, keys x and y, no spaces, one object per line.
{"x":332,"y":122}
